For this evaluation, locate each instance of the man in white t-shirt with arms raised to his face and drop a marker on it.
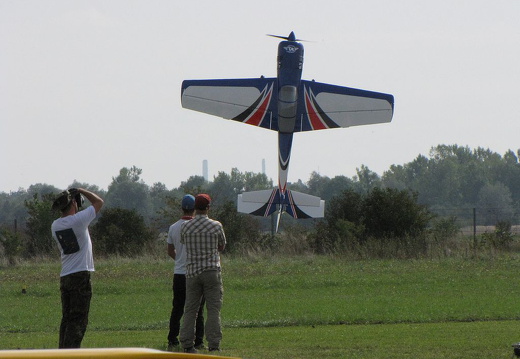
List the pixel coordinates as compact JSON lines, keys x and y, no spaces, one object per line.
{"x":71,"y":233}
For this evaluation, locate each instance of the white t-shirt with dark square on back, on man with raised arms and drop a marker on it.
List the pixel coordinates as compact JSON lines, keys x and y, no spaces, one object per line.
{"x":71,"y":234}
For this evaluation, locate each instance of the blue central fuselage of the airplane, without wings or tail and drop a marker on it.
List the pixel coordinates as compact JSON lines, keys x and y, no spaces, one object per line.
{"x":289,"y":74}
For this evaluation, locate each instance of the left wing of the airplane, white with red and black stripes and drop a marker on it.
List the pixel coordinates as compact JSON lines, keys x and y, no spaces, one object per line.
{"x":251,"y":101}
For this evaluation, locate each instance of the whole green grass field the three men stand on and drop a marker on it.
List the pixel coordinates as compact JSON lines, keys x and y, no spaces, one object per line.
{"x":299,"y":307}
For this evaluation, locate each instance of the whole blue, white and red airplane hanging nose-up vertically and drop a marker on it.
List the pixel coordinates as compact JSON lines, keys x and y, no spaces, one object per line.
{"x":286,"y":104}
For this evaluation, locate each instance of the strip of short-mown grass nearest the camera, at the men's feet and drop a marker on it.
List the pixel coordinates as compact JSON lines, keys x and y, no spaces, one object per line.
{"x":427,"y":340}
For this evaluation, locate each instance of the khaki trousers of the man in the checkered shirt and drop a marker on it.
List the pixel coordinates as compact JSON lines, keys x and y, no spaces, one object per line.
{"x":208,"y":284}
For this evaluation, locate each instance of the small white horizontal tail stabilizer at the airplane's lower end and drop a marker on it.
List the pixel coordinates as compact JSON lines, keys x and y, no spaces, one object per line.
{"x":266,"y":202}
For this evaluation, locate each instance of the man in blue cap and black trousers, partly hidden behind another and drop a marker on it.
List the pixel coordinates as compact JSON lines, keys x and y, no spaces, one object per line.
{"x":177,"y":251}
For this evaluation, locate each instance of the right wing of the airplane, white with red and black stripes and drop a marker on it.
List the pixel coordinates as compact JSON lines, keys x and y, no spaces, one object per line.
{"x":323,"y":106}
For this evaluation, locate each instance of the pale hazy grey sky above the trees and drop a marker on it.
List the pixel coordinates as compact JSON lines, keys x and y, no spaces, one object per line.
{"x":88,"y":87}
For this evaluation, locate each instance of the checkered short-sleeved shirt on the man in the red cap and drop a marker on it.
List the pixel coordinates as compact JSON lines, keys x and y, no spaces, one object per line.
{"x":202,"y":236}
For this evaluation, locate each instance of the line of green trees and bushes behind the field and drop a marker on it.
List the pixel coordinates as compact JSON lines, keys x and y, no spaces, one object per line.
{"x":401,"y":203}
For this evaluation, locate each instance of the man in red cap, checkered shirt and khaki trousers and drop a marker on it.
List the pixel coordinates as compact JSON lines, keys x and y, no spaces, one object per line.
{"x":204,"y":239}
